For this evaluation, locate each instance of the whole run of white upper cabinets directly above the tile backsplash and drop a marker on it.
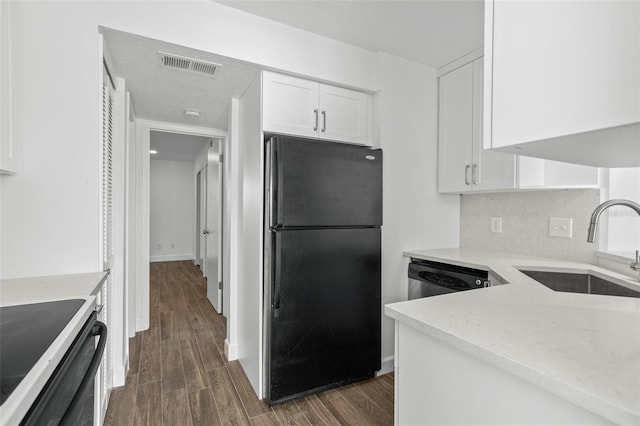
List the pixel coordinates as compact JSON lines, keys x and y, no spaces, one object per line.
{"x":464,"y":166}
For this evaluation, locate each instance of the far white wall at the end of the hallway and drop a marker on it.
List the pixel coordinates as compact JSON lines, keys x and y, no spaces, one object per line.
{"x":172,"y":210}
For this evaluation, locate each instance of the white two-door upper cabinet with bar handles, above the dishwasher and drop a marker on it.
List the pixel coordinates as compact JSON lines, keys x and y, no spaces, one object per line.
{"x":462,"y":163}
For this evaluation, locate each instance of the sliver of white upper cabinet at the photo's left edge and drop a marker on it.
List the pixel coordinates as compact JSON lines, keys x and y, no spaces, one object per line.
{"x":8,"y":148}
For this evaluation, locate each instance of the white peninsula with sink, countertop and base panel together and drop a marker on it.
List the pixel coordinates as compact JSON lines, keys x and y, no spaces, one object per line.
{"x":518,"y":353}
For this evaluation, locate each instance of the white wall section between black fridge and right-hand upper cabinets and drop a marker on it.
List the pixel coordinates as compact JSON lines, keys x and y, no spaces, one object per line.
{"x":415,"y":216}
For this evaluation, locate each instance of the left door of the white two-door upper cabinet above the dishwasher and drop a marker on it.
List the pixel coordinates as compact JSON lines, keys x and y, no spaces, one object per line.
{"x":455,"y":130}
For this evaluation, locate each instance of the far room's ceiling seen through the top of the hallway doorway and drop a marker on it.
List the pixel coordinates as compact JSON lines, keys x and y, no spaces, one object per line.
{"x":176,"y":147}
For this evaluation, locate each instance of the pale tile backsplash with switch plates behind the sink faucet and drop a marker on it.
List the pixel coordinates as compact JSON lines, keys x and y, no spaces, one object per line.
{"x":525,"y":222}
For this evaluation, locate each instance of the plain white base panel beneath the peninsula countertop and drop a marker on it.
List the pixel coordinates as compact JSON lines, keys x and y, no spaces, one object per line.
{"x":437,"y":384}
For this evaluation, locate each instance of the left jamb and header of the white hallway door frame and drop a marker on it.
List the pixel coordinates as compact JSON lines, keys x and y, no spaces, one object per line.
{"x":144,"y":138}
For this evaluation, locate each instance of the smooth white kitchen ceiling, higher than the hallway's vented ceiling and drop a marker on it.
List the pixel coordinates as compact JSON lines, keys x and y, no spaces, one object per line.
{"x":431,"y":32}
